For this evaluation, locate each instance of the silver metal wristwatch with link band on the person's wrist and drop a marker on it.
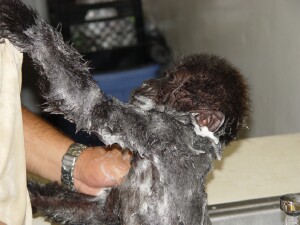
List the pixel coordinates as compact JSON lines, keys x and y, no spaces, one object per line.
{"x":68,"y":164}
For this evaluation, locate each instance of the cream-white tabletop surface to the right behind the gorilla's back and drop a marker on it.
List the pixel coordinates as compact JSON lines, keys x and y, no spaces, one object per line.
{"x":256,"y":168}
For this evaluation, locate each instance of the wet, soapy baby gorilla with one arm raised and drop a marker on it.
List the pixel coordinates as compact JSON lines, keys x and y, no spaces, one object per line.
{"x":175,"y":127}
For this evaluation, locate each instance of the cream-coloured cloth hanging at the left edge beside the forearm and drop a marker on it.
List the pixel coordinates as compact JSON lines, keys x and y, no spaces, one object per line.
{"x":15,"y":206}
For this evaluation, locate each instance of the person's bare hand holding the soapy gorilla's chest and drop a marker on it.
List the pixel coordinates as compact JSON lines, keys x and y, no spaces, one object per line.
{"x":100,"y":167}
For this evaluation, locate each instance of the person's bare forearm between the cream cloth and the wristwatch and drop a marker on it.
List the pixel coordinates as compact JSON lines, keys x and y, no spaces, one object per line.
{"x":44,"y":146}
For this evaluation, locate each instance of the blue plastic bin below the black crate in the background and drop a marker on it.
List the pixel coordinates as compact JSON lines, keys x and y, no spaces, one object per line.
{"x":120,"y":84}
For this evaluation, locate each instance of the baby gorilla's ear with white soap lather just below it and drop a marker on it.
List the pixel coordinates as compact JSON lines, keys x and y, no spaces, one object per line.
{"x":212,"y":119}
